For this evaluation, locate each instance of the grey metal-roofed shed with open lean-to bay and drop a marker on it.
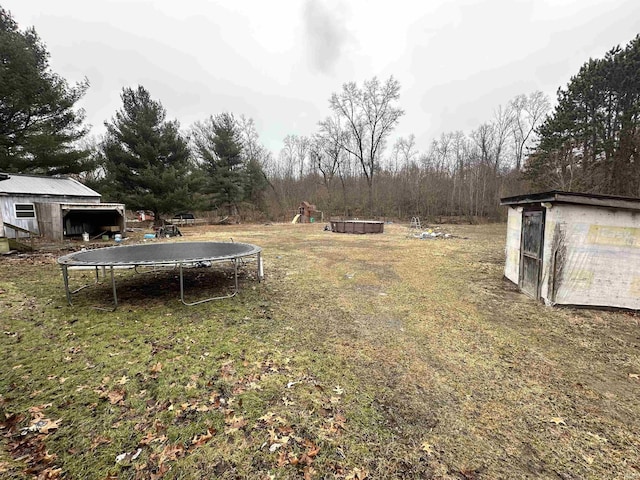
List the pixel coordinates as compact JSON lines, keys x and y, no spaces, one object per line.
{"x":55,"y":208}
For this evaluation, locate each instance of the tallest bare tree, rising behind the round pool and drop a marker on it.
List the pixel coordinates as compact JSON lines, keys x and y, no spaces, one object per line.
{"x":370,"y":114}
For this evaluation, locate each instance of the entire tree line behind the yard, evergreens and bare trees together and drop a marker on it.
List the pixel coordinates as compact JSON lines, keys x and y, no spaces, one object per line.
{"x":349,"y":167}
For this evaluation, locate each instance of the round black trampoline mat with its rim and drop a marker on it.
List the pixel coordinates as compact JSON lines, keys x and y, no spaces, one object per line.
{"x":160,"y":253}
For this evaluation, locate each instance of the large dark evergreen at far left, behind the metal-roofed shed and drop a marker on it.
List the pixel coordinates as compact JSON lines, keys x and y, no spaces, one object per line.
{"x":38,"y":122}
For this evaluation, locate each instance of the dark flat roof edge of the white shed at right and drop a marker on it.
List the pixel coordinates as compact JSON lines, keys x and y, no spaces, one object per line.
{"x":555,"y":196}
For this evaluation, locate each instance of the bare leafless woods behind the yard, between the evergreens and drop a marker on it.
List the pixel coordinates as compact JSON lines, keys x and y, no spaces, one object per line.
{"x":343,"y":170}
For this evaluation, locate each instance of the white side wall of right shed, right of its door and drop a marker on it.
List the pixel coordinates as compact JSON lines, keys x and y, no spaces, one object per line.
{"x":591,"y":257}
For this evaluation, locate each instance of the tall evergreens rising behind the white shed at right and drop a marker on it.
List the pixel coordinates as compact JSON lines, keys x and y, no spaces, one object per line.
{"x":591,"y":142}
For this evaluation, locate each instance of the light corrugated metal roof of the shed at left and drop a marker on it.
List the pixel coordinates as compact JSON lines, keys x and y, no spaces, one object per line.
{"x":36,"y":185}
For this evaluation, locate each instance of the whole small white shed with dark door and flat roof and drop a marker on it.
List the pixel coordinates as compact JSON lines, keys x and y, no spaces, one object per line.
{"x":574,"y":248}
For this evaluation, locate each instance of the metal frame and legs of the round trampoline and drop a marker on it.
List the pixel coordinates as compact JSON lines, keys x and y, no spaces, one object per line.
{"x":68,"y":261}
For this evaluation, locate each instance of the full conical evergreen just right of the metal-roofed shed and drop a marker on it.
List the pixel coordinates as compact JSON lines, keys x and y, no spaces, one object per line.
{"x":147,"y":161}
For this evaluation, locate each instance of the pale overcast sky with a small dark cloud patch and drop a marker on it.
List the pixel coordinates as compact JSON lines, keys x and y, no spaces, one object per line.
{"x":279,"y":61}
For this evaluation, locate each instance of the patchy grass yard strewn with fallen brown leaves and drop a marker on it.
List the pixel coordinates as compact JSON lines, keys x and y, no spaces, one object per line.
{"x":359,"y":356}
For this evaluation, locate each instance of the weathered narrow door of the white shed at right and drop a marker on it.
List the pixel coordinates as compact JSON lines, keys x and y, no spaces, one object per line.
{"x":531,"y":252}
